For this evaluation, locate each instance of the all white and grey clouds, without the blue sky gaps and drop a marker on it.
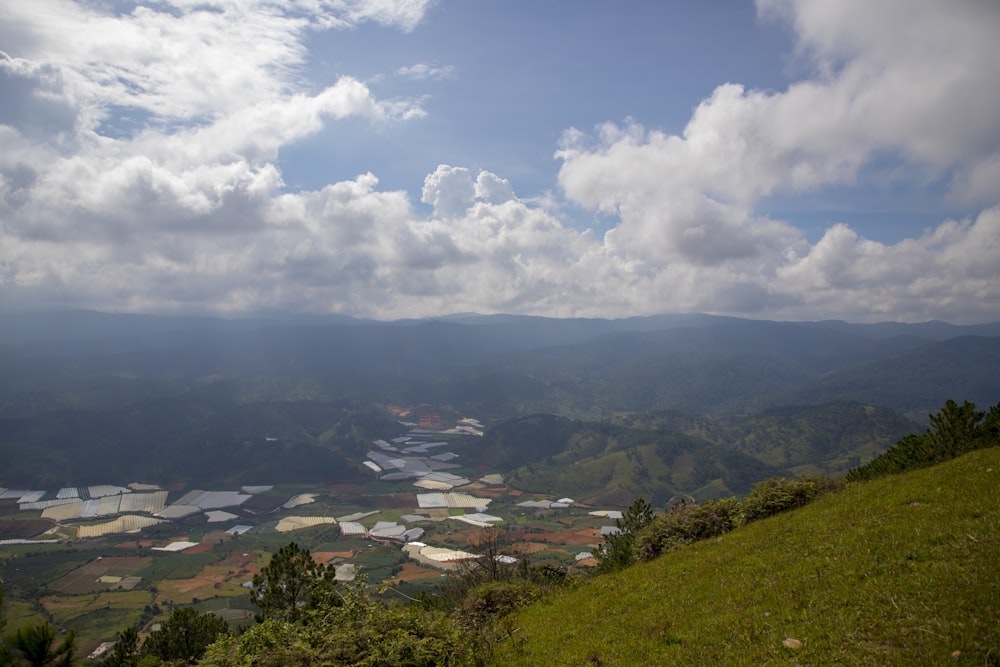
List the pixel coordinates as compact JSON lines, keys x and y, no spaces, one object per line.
{"x":138,"y":171}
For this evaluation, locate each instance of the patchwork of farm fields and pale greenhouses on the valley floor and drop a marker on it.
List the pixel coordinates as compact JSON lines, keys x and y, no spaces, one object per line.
{"x":201,"y":548}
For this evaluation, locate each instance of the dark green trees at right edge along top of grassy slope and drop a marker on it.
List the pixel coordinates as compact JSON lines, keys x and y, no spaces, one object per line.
{"x":955,"y":429}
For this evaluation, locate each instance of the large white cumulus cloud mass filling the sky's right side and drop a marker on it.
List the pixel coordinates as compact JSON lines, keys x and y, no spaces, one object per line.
{"x":910,"y":79}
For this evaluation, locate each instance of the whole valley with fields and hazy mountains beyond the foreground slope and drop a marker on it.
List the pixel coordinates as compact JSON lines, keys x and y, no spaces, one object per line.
{"x":152,"y":464}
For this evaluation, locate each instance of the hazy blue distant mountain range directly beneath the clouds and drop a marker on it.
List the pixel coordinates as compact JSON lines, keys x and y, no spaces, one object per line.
{"x":506,"y":365}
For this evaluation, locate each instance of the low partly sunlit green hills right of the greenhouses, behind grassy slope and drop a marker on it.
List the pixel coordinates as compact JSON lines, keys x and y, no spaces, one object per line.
{"x":662,"y":454}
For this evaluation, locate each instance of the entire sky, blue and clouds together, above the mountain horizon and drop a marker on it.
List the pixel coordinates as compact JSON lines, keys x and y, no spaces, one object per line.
{"x":387,"y":159}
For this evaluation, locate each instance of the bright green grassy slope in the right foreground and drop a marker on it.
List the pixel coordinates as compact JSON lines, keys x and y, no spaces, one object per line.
{"x":899,"y":571}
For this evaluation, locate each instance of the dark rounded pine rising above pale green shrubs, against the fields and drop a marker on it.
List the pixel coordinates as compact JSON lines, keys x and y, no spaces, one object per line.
{"x":292,"y":582}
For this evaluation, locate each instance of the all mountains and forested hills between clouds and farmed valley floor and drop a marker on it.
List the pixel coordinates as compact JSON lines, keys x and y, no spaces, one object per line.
{"x":195,"y":392}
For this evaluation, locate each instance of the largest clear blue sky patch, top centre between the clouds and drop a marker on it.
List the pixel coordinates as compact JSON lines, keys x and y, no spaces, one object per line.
{"x":517,"y":74}
